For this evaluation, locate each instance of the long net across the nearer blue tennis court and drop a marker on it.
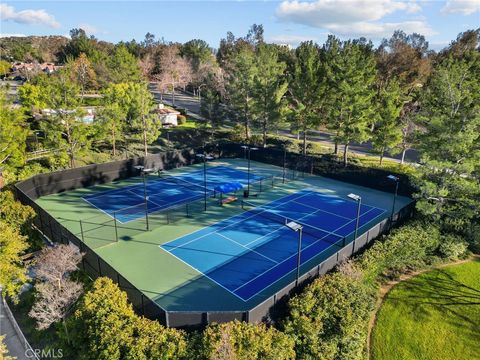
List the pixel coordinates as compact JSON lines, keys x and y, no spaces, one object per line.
{"x":311,"y":230}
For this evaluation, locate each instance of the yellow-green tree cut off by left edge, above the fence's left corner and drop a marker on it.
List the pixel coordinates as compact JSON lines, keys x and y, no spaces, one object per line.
{"x":13,"y":132}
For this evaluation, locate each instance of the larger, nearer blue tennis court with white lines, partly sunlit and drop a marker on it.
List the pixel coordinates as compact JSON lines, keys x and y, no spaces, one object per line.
{"x":249,"y":252}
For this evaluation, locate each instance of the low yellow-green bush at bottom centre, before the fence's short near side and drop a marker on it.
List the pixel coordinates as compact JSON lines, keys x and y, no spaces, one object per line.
{"x":242,"y":341}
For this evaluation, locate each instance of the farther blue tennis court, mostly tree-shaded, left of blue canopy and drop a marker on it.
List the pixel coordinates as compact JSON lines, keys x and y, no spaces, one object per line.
{"x":128,"y":202}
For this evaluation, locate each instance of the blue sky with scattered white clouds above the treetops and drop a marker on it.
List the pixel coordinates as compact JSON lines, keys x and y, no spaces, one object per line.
{"x":285,"y":22}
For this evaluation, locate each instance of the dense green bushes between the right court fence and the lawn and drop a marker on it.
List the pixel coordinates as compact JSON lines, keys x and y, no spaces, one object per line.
{"x":329,"y":319}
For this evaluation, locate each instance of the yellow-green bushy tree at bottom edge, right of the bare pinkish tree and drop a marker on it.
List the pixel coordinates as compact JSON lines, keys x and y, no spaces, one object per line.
{"x":105,"y":326}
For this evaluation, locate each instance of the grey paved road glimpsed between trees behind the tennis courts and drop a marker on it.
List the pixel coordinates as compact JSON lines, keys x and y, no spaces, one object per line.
{"x":191,"y":103}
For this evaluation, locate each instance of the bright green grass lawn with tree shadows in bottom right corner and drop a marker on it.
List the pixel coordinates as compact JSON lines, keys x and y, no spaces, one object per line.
{"x":435,"y":315}
